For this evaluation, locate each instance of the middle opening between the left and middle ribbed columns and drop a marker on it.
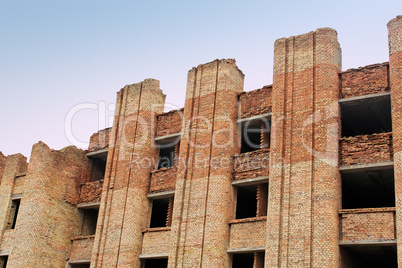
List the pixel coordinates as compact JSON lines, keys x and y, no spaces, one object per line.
{"x":161,"y":215}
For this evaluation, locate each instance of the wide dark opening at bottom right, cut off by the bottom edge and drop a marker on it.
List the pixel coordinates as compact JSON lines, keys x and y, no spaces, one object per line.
{"x":369,"y":256}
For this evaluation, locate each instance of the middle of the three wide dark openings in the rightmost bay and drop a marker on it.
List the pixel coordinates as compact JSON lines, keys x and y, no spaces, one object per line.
{"x":368,"y":189}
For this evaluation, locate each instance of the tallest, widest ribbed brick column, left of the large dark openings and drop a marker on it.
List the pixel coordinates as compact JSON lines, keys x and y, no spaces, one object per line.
{"x":304,"y":183}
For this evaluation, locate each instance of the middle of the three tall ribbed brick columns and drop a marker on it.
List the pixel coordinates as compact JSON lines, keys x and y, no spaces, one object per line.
{"x":204,"y":195}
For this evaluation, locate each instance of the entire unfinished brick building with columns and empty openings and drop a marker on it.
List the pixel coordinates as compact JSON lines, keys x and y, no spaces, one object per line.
{"x":306,"y":172}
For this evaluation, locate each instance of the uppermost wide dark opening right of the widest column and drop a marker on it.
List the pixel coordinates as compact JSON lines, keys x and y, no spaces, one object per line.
{"x":366,"y":116}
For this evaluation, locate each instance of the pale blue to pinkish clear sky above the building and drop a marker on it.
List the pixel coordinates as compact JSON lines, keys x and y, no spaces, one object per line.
{"x":62,"y":62}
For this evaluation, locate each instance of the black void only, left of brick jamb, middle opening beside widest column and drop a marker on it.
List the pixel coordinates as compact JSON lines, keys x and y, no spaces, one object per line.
{"x":246,"y":206}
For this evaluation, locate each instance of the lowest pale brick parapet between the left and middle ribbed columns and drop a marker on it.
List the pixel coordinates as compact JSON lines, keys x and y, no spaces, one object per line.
{"x":156,"y":241}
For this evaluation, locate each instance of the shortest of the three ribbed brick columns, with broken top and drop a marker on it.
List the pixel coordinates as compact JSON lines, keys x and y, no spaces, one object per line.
{"x":124,"y":205}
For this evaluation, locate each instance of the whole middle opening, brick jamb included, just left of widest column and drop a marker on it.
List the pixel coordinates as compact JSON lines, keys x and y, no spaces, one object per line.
{"x":252,"y":200}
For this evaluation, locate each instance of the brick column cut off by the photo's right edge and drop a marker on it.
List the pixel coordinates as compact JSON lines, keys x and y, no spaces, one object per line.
{"x":395,"y":77}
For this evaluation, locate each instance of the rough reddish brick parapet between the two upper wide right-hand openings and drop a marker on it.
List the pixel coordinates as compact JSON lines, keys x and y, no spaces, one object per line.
{"x":366,"y":149}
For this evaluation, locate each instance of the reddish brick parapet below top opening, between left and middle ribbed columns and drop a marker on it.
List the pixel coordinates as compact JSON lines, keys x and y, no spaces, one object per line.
{"x":163,"y":179}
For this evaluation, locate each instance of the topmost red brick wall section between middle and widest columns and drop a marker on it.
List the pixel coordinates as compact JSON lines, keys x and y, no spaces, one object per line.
{"x":255,"y":102}
